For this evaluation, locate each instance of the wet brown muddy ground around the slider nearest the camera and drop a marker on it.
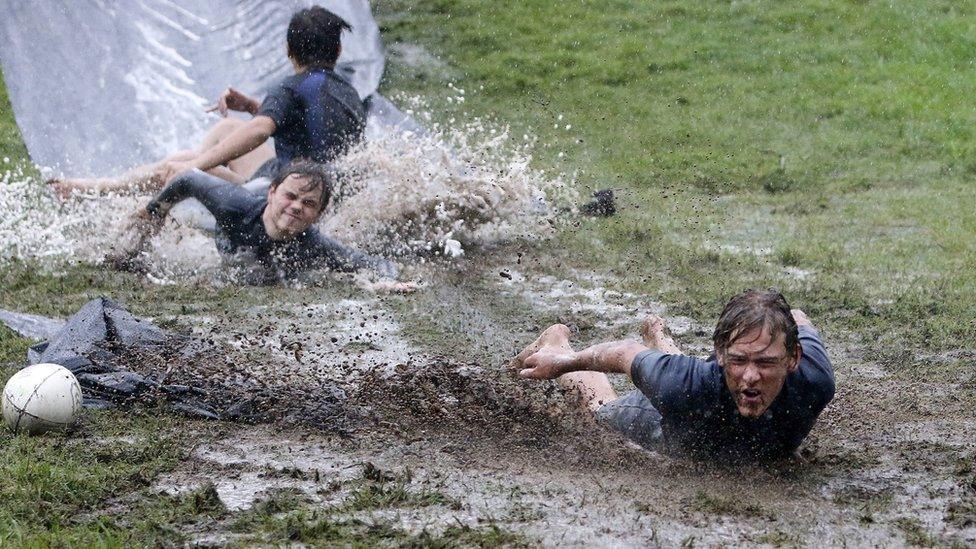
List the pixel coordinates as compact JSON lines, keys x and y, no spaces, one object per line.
{"x":438,"y":418}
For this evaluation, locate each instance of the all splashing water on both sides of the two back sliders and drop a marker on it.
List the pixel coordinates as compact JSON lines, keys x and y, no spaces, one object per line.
{"x":401,"y":194}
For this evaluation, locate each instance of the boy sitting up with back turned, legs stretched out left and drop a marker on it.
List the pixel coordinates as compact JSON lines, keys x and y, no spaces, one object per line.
{"x":315,"y":114}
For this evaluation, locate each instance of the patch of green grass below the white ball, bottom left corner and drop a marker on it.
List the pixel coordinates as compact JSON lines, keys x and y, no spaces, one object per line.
{"x":58,"y":490}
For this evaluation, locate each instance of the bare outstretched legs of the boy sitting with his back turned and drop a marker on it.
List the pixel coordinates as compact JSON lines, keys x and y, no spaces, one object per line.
{"x":149,"y":176}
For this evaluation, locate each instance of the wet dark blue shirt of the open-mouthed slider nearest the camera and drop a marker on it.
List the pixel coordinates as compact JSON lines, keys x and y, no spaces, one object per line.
{"x":699,"y":414}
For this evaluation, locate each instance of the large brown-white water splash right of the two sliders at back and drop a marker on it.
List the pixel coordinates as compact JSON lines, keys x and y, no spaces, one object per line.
{"x":439,"y":193}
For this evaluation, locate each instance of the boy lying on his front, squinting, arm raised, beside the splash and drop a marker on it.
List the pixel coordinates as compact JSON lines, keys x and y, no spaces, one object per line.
{"x":274,"y":231}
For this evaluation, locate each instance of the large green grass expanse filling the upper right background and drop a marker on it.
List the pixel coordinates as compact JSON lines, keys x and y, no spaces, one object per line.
{"x":834,"y":137}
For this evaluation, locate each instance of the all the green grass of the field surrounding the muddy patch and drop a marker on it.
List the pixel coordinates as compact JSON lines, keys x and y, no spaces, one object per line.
{"x":822,"y":147}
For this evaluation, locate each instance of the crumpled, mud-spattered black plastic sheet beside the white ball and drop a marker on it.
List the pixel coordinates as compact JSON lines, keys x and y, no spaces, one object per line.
{"x":122,"y":360}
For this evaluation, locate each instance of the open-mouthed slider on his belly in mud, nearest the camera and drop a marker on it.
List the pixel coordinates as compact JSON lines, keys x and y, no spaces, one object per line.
{"x":756,"y":398}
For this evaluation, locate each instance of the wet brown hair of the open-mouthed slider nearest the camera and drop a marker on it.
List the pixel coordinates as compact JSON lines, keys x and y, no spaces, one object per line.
{"x":754,"y":309}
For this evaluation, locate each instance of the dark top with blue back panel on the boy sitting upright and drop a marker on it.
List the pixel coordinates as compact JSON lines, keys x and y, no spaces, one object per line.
{"x":317,"y":115}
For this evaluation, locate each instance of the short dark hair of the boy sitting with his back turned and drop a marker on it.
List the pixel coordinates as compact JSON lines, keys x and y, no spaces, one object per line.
{"x":313,"y":37}
